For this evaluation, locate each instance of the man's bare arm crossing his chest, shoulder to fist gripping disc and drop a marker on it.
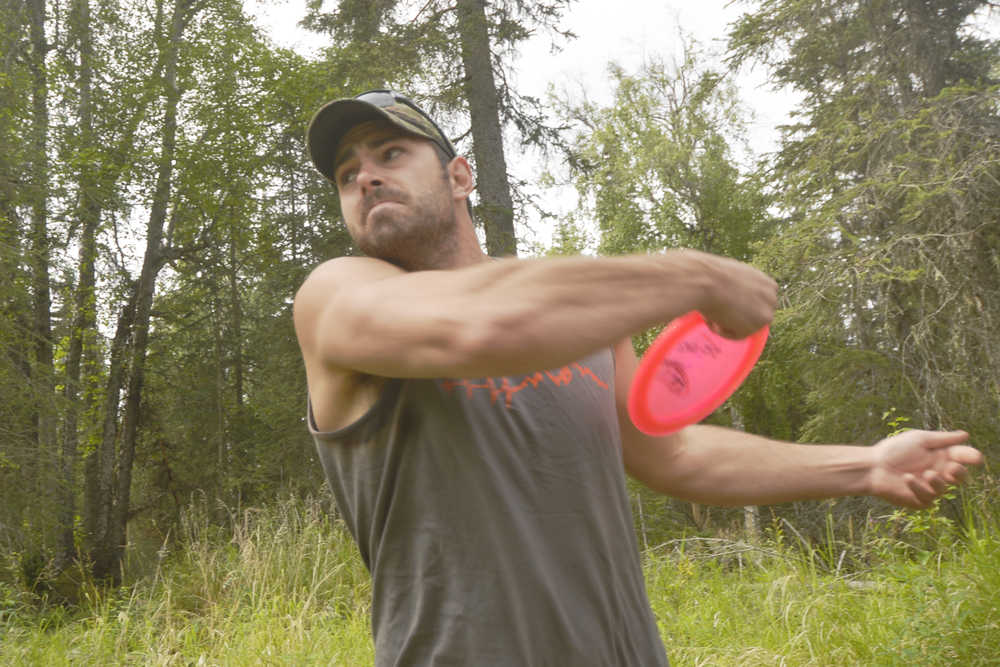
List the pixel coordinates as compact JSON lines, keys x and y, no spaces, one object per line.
{"x":512,"y":316}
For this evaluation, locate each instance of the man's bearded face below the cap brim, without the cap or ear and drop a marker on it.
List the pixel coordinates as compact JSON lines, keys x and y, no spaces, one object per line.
{"x":394,"y":195}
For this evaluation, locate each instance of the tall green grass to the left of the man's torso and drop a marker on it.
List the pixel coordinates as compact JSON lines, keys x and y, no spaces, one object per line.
{"x":278,"y":586}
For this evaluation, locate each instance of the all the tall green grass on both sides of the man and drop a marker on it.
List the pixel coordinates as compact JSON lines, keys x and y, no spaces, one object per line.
{"x":284,"y":586}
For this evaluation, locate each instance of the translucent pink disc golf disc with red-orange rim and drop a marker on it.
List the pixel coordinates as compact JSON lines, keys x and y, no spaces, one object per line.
{"x":687,"y":373}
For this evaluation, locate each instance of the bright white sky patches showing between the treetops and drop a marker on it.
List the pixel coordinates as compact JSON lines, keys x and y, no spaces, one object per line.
{"x":626,"y":32}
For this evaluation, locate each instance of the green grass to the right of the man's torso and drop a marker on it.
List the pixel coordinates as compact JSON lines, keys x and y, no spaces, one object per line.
{"x":917,"y":589}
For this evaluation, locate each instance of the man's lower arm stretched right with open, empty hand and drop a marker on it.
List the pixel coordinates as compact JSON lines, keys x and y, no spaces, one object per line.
{"x":719,"y":466}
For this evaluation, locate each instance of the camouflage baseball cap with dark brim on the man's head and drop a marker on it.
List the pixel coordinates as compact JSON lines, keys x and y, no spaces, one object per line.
{"x":334,"y":119}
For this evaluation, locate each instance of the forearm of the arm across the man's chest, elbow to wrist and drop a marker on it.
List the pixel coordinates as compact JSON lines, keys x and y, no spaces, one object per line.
{"x":550,"y":312}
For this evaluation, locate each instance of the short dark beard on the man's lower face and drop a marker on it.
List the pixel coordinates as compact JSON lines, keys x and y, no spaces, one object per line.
{"x":415,"y":233}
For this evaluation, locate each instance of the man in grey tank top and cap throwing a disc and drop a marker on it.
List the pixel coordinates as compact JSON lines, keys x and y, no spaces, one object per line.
{"x":470,"y":413}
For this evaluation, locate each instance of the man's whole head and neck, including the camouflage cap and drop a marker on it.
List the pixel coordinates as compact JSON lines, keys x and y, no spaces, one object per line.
{"x":399,"y":180}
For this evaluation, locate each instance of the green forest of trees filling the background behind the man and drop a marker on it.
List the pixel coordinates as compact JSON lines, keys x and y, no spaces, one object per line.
{"x":158,"y":212}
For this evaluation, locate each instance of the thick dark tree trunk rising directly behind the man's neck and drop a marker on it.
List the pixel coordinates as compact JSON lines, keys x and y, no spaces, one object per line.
{"x":495,"y":205}
